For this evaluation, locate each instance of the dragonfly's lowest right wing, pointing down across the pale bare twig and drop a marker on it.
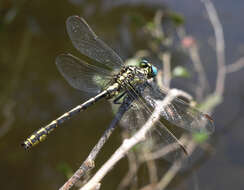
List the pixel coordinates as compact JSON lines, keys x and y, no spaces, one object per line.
{"x":159,"y":137}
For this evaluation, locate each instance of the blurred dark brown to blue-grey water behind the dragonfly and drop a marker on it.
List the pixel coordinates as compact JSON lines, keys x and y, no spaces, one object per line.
{"x":32,"y":92}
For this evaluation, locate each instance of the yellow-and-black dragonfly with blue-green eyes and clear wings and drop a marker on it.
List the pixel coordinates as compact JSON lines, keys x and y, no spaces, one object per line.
{"x":103,"y":73}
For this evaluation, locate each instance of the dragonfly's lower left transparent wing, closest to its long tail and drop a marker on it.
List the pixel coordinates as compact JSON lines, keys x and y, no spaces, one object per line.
{"x":81,"y":75}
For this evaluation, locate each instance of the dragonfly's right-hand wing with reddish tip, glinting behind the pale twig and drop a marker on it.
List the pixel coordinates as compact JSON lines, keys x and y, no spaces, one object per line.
{"x":179,"y":113}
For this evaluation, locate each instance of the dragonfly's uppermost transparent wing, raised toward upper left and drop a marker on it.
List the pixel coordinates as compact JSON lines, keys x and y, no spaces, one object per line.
{"x":87,"y":42}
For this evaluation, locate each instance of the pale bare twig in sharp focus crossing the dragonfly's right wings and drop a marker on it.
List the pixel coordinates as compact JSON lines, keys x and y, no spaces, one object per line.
{"x":127,"y":144}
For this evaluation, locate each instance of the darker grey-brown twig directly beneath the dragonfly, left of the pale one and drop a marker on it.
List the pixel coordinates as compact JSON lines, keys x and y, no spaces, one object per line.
{"x":88,"y":164}
